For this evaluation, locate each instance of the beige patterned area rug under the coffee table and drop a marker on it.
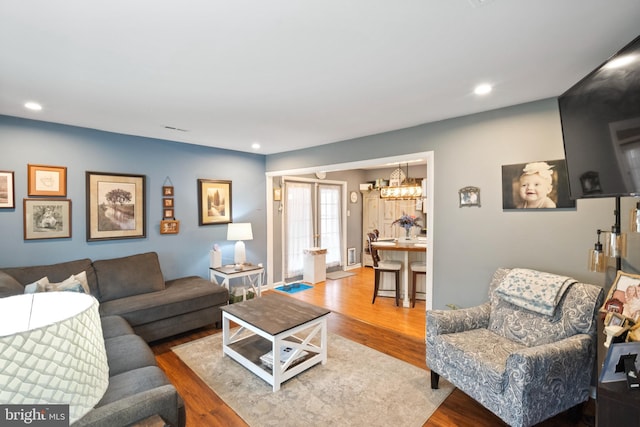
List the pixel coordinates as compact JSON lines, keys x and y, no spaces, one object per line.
{"x":358,"y":386}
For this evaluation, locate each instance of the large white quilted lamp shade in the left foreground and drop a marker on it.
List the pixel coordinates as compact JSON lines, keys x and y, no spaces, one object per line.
{"x":52,"y":351}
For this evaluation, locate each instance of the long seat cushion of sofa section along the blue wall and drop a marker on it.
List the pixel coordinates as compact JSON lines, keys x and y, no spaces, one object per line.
{"x":184,"y":295}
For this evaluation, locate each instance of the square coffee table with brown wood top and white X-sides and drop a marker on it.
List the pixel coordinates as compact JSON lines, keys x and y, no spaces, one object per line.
{"x":274,"y":321}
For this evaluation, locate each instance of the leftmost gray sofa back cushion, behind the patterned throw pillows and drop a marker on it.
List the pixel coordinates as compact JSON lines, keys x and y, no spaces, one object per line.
{"x":56,"y":273}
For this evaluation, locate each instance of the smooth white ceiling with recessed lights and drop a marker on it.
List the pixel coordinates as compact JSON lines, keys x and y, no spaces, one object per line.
{"x":291,"y":74}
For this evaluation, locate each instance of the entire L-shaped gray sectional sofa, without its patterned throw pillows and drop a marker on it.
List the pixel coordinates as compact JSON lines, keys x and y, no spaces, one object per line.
{"x":136,"y":306}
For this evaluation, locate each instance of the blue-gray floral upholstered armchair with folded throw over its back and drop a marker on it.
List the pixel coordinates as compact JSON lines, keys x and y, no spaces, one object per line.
{"x":528,"y":353}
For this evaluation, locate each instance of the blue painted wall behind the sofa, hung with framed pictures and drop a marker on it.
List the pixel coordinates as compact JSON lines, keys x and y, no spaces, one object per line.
{"x":80,"y":150}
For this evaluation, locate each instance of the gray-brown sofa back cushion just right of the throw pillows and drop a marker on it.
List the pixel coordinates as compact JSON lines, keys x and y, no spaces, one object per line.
{"x":127,"y":276}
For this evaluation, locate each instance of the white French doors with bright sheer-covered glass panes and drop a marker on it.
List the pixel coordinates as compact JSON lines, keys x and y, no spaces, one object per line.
{"x":312,"y":218}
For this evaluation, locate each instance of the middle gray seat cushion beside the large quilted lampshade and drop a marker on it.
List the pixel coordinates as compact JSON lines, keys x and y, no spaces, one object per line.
{"x":127,"y":352}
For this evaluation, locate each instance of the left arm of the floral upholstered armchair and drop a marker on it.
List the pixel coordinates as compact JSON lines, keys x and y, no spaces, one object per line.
{"x":451,"y":321}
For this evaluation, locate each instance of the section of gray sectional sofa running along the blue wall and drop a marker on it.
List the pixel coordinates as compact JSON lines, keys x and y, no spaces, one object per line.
{"x":133,"y":287}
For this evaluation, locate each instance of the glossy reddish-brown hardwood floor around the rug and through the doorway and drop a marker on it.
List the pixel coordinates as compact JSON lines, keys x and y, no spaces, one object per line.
{"x":396,"y":331}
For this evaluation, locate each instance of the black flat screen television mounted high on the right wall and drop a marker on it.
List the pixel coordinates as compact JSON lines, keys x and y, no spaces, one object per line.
{"x":600,"y":118}
